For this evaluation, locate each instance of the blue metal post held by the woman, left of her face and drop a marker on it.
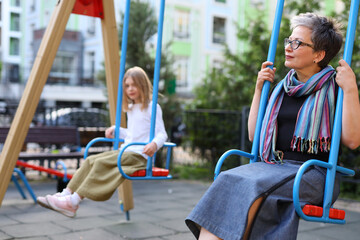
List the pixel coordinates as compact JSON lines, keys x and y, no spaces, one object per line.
{"x":266,"y":87}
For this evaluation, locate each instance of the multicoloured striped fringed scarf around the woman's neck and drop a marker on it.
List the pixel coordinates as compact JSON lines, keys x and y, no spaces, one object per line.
{"x":314,"y":120}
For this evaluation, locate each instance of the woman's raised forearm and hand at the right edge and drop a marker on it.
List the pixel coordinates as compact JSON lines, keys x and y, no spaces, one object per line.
{"x":345,"y":78}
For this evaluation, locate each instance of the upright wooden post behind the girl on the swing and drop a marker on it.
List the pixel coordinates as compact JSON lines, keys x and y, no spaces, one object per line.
{"x":112,"y":66}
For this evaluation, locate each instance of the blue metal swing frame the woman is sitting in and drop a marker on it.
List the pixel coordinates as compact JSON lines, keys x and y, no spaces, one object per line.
{"x":331,"y":165}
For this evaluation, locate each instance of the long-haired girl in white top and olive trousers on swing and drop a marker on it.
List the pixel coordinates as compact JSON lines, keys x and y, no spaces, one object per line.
{"x":98,"y":176}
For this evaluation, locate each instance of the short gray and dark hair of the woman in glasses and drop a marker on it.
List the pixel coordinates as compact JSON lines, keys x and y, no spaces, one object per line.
{"x":325,"y":34}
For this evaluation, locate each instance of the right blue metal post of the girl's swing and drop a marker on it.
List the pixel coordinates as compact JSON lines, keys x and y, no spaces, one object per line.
{"x":156,"y":80}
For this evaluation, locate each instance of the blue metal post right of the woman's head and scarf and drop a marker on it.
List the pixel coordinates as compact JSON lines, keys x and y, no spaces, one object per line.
{"x":336,"y":136}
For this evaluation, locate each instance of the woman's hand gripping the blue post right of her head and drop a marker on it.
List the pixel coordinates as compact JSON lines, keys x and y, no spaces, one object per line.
{"x":345,"y":77}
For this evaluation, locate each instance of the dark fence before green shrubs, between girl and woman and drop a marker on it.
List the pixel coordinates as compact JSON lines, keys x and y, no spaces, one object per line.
{"x":215,"y":131}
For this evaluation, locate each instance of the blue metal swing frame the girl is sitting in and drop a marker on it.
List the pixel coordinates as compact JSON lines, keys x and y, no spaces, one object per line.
{"x":117,"y":140}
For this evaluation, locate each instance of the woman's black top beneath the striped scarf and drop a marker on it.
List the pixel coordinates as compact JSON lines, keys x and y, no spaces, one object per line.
{"x":286,"y":126}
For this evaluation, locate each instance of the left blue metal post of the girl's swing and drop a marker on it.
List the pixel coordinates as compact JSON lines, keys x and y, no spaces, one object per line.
{"x":121,"y":75}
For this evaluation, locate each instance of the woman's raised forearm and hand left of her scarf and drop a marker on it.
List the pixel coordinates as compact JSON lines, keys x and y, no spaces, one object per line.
{"x":264,"y":74}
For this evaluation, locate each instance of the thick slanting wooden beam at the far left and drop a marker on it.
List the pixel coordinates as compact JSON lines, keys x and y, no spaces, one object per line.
{"x":31,"y":96}
